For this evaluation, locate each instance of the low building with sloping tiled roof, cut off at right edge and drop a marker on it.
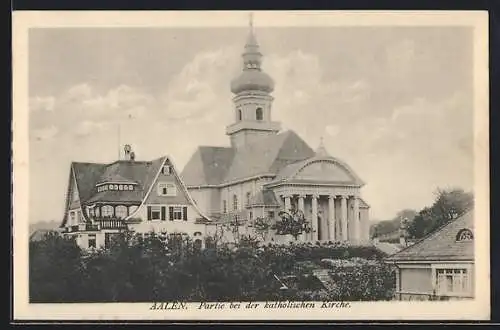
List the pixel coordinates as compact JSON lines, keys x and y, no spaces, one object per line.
{"x":440,"y":266}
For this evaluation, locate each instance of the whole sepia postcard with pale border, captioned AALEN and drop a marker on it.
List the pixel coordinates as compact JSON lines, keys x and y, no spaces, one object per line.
{"x":250,"y":164}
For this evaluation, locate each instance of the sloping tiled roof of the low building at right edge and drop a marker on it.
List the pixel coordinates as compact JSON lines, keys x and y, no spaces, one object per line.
{"x":441,"y":244}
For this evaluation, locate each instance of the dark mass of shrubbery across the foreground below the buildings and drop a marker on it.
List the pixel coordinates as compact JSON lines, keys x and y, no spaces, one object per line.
{"x":151,"y":270}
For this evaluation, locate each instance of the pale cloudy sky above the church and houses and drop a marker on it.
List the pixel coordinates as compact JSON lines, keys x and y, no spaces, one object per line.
{"x":395,"y":103}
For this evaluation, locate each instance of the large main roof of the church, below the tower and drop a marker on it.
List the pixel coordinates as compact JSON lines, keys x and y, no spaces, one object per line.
{"x":217,"y":165}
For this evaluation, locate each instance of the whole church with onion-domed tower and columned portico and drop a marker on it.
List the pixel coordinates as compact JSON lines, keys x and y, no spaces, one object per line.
{"x":266,"y":170}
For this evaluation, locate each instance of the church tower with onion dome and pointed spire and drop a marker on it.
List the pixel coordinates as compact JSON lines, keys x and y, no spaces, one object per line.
{"x":252,"y":98}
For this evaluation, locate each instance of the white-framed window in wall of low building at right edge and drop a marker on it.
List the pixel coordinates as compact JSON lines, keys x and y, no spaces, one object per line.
{"x":453,"y":282}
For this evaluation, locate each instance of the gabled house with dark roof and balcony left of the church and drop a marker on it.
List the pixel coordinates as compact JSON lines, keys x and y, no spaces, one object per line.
{"x":129,"y":195}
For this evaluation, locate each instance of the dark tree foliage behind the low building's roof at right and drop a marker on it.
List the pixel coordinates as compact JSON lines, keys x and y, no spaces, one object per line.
{"x":448,"y":205}
